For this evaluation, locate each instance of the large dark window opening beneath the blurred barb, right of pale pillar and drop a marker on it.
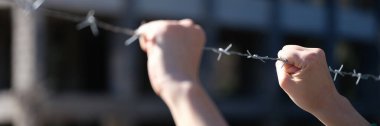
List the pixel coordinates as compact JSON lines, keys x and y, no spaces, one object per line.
{"x":76,"y":60}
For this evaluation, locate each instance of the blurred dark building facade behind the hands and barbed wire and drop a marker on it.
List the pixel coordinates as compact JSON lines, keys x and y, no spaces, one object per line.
{"x":54,"y":75}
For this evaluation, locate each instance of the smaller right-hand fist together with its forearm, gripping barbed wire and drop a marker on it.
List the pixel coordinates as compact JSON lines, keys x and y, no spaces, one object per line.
{"x":307,"y":81}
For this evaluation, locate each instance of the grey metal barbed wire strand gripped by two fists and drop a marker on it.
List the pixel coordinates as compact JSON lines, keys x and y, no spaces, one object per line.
{"x":91,"y":21}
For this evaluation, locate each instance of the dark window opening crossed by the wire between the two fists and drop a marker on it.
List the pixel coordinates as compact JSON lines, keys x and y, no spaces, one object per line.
{"x":237,"y":76}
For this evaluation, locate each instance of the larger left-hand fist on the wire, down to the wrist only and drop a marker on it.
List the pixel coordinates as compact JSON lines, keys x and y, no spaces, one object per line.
{"x":174,"y":50}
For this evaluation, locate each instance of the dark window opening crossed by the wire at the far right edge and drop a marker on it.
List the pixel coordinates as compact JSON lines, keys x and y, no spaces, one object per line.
{"x":364,"y":58}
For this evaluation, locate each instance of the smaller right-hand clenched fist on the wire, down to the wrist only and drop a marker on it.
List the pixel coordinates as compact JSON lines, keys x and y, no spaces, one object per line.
{"x":305,"y":78}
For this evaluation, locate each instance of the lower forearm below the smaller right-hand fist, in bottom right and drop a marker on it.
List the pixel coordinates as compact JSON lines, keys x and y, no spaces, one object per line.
{"x":341,"y":113}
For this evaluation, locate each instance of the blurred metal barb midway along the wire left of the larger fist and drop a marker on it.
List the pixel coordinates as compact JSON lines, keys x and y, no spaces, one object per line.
{"x":91,"y":22}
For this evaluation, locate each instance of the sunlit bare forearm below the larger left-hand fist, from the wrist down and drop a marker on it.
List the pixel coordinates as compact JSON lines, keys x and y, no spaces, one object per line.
{"x":190,"y":105}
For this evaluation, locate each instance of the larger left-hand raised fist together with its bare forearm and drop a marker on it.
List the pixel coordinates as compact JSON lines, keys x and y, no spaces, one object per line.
{"x":174,"y":50}
